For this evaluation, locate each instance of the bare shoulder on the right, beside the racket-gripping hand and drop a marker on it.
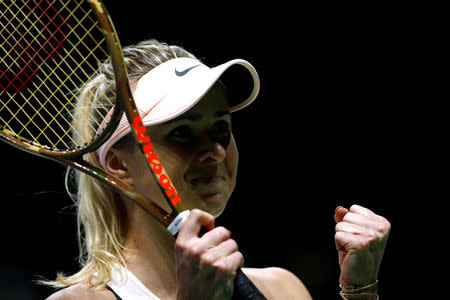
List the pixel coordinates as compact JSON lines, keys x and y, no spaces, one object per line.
{"x":277,"y":283}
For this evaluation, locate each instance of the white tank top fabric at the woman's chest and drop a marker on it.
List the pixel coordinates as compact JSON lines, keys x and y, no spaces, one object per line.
{"x":130,"y":287}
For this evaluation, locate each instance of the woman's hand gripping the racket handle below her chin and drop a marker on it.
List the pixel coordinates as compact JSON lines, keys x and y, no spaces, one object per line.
{"x":207,"y":265}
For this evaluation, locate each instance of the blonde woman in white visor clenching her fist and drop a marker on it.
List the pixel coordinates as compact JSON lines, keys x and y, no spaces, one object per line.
{"x":127,"y":254}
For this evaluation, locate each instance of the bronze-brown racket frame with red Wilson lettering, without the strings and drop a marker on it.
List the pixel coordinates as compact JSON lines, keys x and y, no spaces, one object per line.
{"x":124,"y":103}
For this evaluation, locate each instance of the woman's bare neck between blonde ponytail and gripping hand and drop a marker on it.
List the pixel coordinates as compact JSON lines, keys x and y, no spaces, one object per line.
{"x":149,"y":253}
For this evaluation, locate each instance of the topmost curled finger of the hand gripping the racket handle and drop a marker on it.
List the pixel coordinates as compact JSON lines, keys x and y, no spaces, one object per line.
{"x":192,"y":225}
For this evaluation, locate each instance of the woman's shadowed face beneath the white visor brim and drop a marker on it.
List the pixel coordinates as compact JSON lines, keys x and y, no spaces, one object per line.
{"x":198,"y":152}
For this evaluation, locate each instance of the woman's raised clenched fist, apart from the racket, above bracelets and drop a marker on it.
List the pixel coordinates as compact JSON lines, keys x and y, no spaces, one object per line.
{"x":360,"y":238}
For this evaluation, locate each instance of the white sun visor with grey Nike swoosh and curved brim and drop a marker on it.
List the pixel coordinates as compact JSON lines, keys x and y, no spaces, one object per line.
{"x":171,"y":89}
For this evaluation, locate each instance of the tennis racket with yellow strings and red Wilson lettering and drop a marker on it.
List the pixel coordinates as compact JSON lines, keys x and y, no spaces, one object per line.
{"x":50,"y":51}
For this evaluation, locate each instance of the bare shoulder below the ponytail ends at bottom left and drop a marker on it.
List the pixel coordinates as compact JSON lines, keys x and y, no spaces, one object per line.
{"x":82,"y":291}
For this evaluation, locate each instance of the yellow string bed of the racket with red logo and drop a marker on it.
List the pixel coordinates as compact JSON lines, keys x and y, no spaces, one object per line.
{"x":51,"y":53}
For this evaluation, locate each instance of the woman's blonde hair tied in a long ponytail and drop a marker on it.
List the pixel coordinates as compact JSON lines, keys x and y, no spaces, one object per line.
{"x":100,"y":216}
